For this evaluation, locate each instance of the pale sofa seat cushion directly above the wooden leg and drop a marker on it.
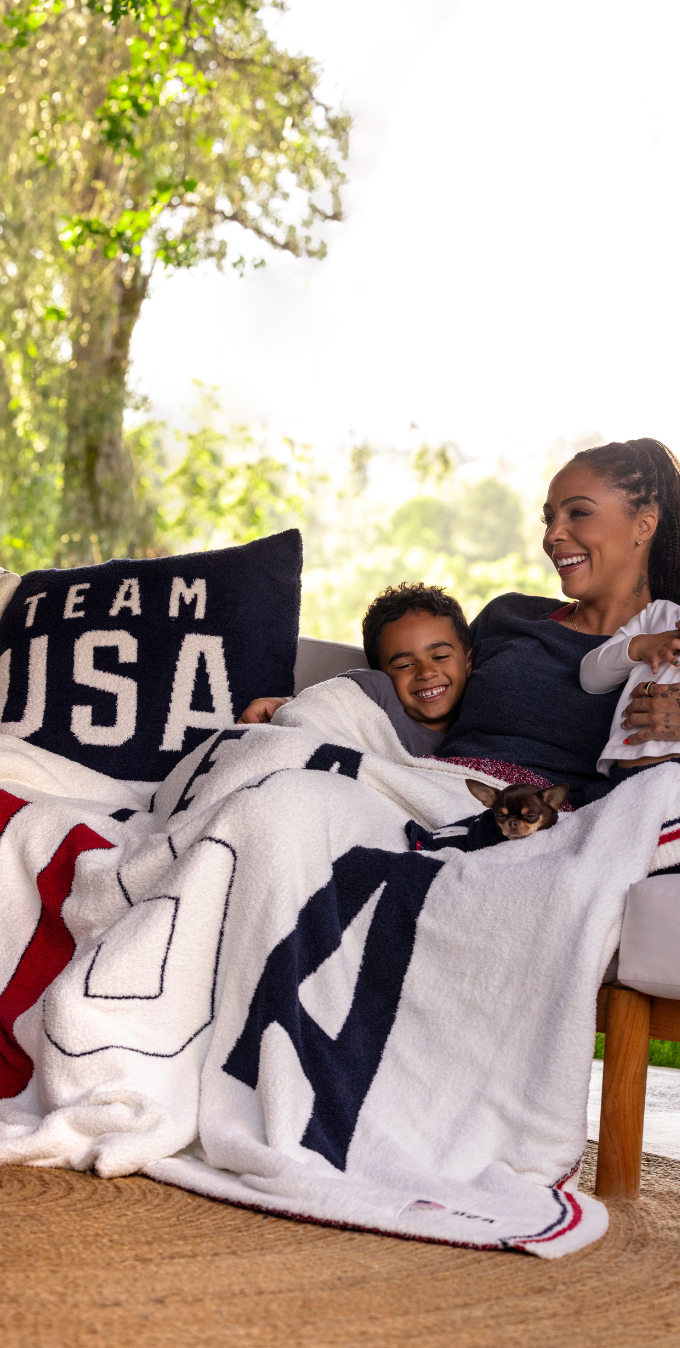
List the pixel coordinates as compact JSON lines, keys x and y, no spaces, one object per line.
{"x":650,"y":954}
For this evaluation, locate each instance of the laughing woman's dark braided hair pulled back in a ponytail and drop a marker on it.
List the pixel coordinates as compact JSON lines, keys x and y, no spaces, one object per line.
{"x":650,"y":475}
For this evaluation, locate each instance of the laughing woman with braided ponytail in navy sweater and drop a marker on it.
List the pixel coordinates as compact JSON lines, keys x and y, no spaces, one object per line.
{"x":613,"y":533}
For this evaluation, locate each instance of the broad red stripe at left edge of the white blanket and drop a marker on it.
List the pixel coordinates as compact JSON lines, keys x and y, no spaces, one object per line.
{"x":47,"y":955}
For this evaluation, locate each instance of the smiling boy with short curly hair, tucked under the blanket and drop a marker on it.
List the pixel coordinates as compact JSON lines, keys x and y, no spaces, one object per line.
{"x":419,"y":649}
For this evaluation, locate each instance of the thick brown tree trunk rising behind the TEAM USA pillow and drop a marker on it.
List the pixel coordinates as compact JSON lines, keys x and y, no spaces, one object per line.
{"x":98,"y":489}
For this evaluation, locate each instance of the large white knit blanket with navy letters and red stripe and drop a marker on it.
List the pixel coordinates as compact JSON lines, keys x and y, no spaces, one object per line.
{"x":257,"y":991}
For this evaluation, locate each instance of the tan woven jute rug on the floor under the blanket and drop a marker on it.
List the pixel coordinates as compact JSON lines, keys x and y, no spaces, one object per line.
{"x":110,"y":1264}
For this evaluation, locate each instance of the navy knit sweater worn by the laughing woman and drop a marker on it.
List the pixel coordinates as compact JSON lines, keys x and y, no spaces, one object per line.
{"x":524,"y":703}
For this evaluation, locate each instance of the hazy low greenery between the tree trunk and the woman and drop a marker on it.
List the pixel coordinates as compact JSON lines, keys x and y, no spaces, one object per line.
{"x":370,"y":517}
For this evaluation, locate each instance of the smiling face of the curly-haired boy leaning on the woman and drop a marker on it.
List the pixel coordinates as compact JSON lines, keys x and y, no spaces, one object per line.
{"x":428,"y":667}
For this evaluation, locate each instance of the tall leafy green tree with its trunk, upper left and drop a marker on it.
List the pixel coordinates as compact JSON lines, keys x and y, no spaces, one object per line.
{"x":161,"y":142}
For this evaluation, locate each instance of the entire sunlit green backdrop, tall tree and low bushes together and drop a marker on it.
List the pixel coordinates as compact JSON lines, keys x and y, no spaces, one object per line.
{"x":148,"y":137}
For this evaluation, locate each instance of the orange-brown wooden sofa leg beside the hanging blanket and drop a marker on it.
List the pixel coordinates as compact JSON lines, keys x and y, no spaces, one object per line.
{"x":624,"y":1084}
